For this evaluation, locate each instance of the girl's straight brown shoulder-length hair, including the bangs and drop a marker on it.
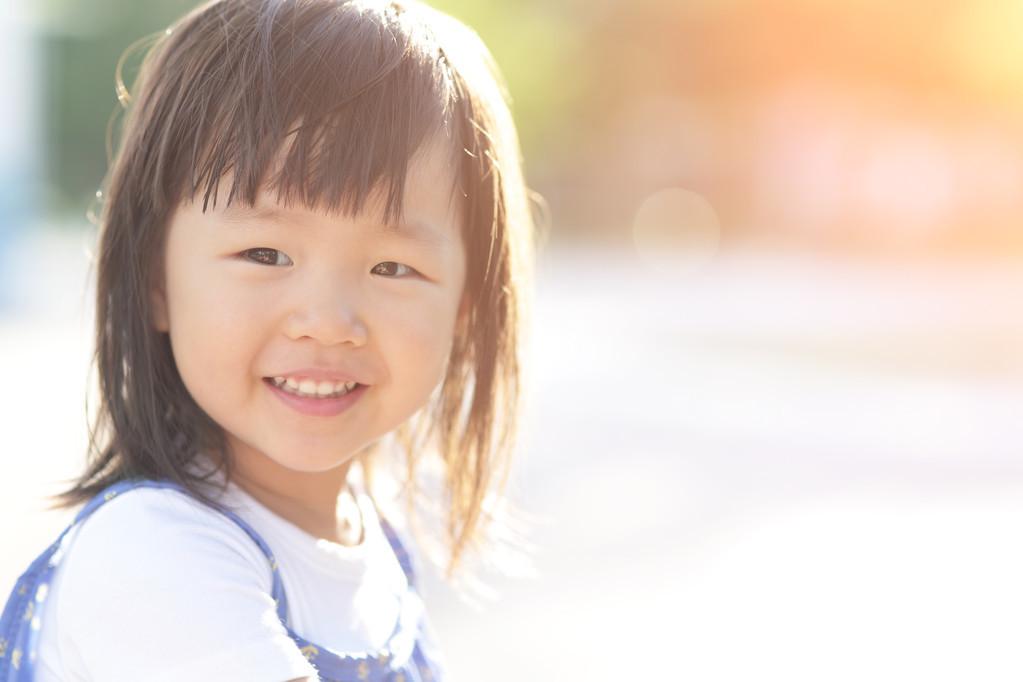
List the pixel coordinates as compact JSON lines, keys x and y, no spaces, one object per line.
{"x":357,"y":88}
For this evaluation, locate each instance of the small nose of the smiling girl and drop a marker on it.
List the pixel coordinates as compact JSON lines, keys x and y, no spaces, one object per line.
{"x":330,"y":315}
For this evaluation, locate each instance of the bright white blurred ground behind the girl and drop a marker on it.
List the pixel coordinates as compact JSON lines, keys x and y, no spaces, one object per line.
{"x":774,"y":469}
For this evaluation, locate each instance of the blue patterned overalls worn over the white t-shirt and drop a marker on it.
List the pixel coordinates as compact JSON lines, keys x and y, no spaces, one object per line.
{"x":409,"y":656}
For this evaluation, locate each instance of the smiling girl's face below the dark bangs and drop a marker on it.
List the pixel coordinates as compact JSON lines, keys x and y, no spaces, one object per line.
{"x":251,"y":296}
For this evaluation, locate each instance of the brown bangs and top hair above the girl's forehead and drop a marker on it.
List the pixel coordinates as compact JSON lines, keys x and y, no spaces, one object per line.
{"x":322,"y":104}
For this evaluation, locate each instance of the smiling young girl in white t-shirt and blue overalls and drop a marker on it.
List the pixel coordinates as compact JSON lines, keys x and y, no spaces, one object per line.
{"x":315,"y":244}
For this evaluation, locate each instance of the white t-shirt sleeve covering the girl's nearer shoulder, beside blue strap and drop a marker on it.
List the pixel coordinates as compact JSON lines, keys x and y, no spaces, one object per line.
{"x":157,"y":585}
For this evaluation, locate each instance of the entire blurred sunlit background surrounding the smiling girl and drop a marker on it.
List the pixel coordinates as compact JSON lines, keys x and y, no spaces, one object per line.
{"x":774,"y":428}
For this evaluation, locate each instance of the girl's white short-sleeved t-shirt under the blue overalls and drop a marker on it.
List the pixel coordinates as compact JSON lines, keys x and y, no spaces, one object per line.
{"x":156,"y":586}
